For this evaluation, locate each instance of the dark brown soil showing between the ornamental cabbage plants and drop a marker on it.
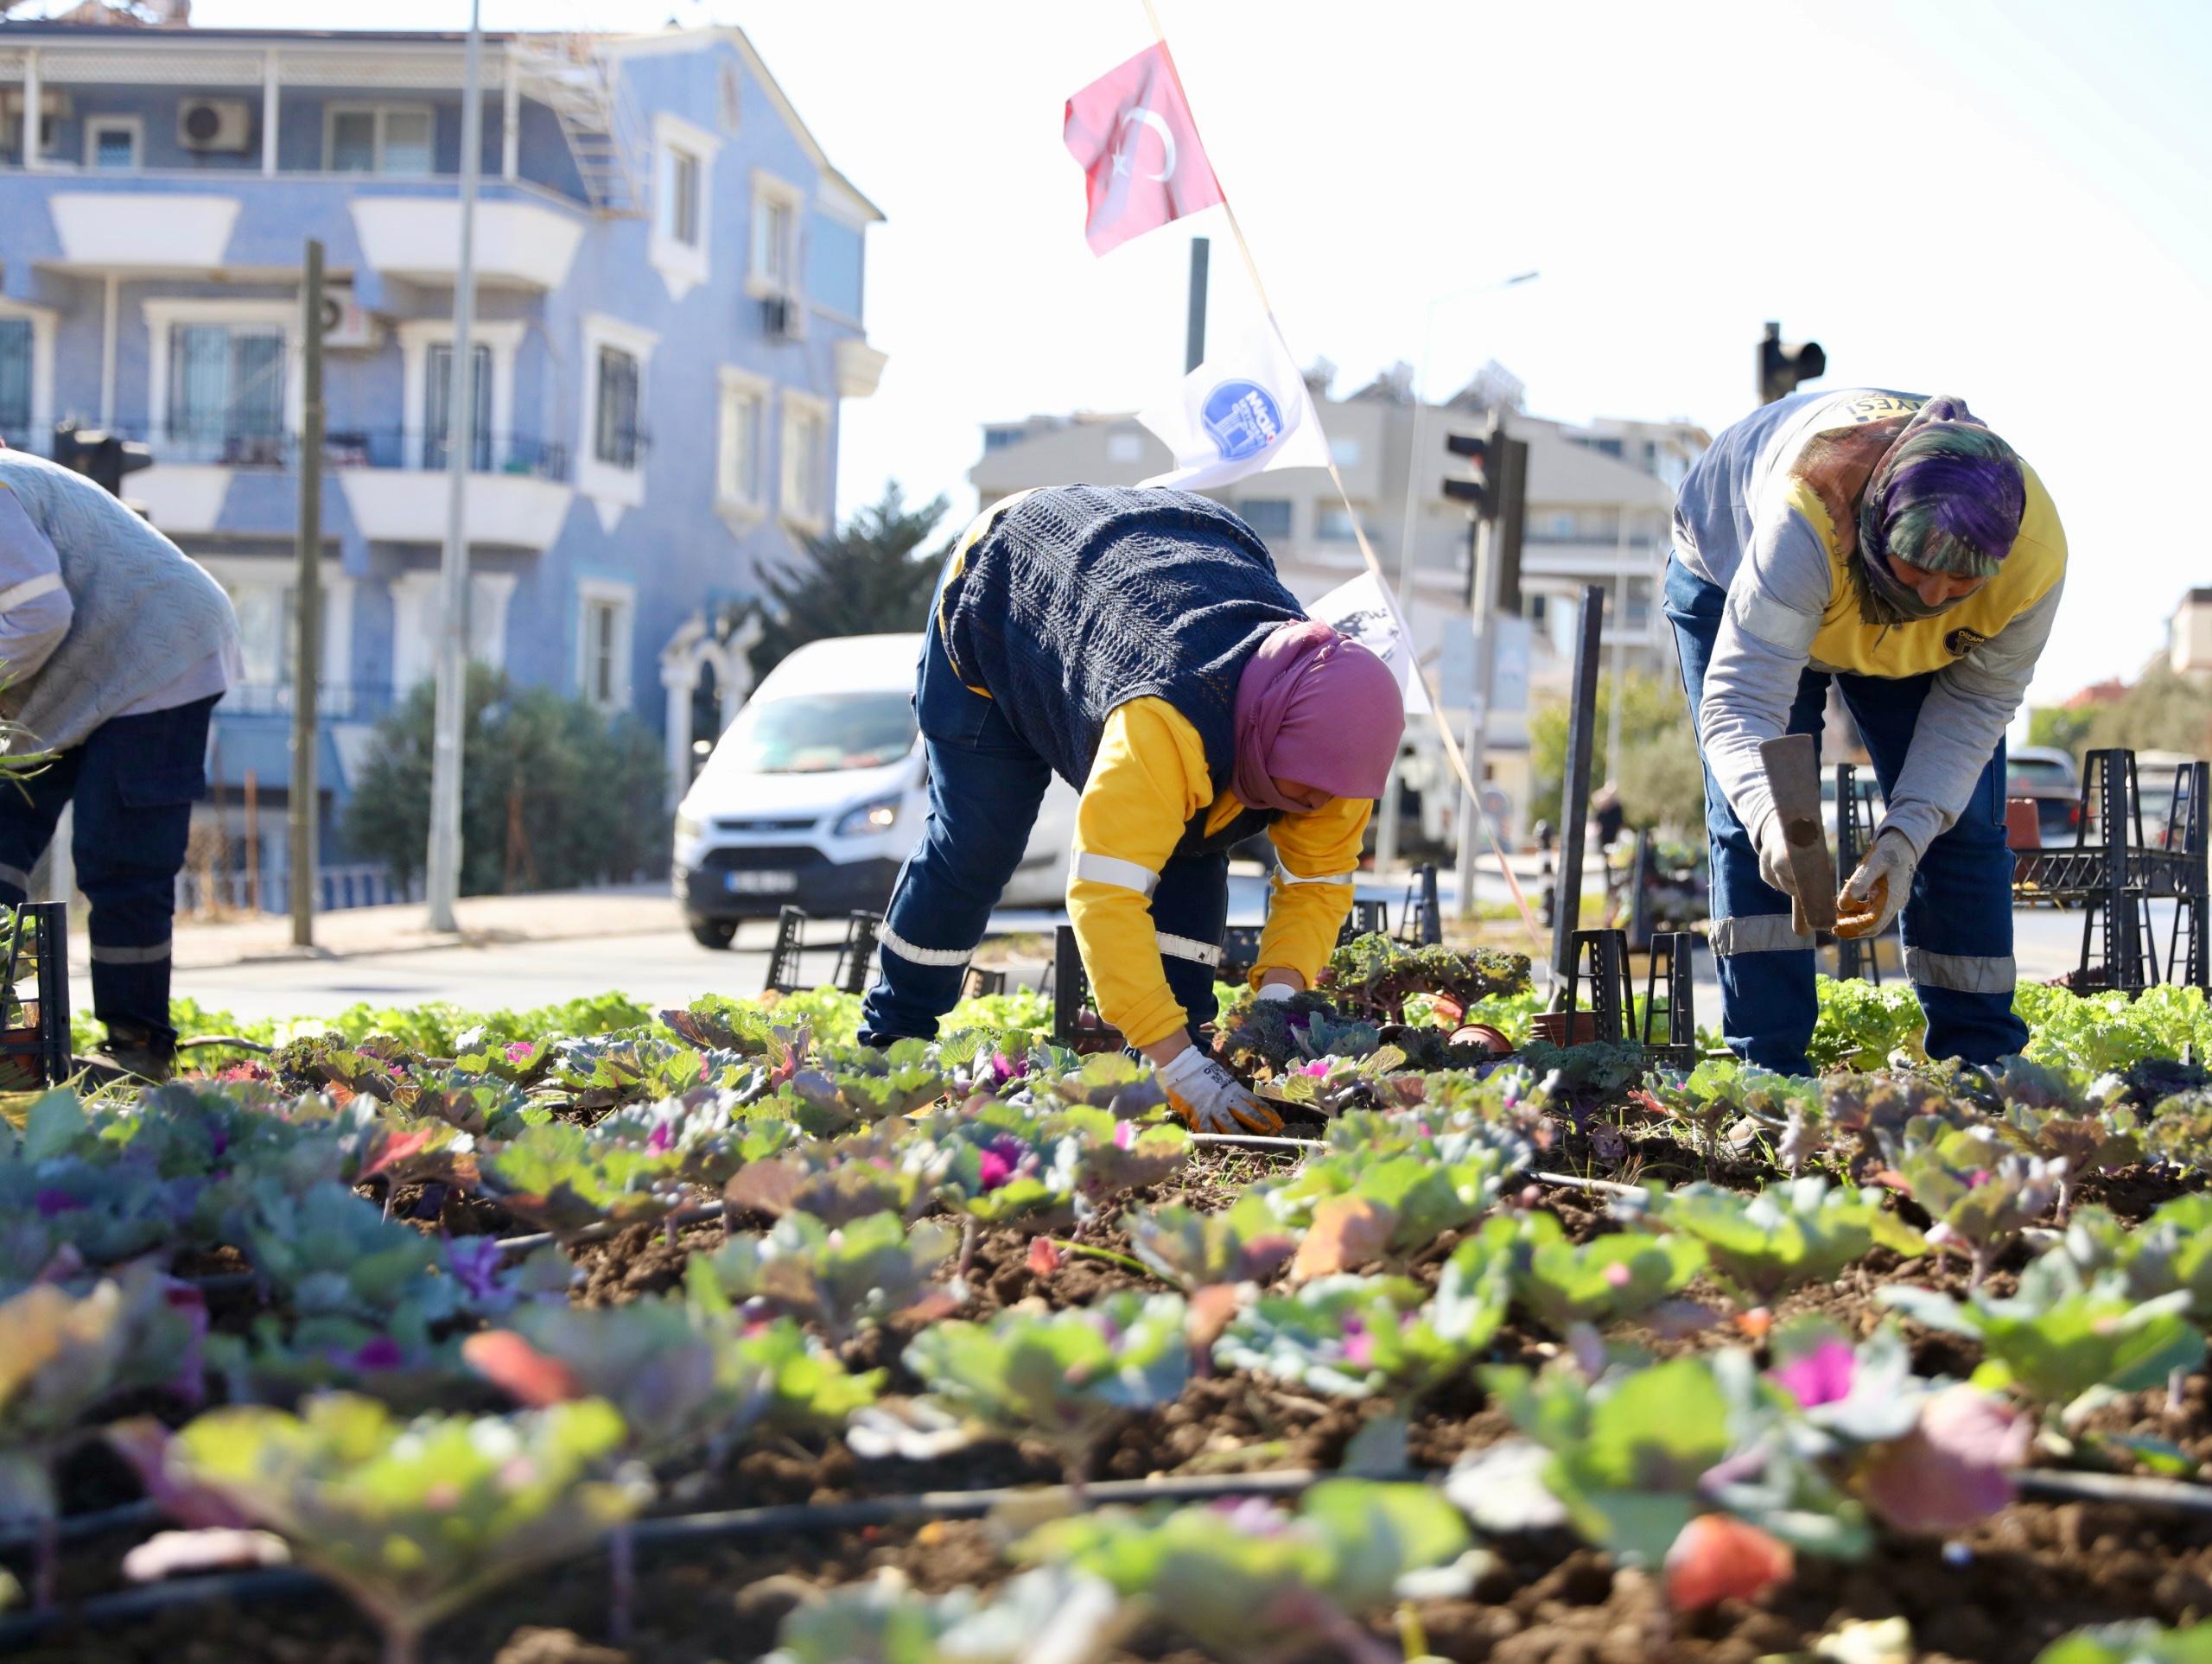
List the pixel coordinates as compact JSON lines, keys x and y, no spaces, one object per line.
{"x":1999,"y":1592}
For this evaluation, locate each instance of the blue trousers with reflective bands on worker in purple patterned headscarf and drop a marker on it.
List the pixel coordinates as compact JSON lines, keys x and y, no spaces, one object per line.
{"x":1959,"y":922}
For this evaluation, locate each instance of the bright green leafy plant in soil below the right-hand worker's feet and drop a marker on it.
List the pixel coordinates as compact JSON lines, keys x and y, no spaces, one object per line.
{"x":1788,"y":1236}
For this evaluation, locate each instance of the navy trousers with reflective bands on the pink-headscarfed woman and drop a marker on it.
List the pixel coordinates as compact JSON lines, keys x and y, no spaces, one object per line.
{"x":985,"y":787}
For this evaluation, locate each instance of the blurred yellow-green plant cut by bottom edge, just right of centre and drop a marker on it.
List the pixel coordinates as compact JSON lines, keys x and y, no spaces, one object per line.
{"x":1251,"y":1581}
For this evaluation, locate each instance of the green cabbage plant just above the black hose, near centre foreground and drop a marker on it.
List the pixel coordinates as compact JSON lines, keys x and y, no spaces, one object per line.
{"x":1058,"y":1377}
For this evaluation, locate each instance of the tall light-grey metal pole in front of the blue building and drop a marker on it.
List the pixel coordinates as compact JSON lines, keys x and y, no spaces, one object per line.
{"x":444,"y":862}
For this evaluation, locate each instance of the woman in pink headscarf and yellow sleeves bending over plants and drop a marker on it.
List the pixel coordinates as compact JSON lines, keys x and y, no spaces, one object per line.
{"x":1140,"y":645}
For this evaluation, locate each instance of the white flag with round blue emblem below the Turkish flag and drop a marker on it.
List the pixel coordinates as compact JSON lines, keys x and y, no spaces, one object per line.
{"x":1240,"y":413}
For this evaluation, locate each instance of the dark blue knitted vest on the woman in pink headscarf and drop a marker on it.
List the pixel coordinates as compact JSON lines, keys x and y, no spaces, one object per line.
{"x":1085,"y":596}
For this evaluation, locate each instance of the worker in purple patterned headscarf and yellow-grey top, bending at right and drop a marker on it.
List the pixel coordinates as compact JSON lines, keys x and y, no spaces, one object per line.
{"x":1899,"y":545}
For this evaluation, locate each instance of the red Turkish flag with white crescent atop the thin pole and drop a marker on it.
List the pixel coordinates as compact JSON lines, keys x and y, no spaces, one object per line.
{"x":1140,"y":152}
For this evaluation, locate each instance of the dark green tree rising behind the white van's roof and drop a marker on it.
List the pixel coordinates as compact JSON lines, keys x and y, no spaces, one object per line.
{"x":859,"y":581}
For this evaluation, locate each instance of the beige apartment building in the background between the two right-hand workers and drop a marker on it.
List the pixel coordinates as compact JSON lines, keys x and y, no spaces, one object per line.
{"x":1600,"y":499}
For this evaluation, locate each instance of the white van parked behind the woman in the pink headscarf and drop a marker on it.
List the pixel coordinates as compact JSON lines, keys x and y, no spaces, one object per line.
{"x":820,"y":793}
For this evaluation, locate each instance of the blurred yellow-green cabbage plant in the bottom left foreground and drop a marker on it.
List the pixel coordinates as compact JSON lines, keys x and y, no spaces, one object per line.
{"x":417,"y":1519}
